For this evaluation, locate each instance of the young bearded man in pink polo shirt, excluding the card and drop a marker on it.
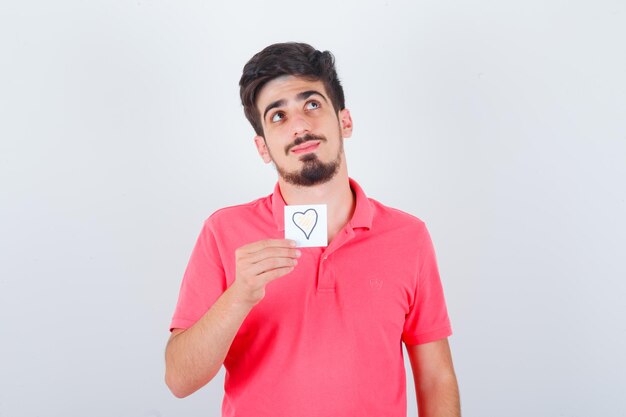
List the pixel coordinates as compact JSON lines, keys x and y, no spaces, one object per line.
{"x":313,"y":331}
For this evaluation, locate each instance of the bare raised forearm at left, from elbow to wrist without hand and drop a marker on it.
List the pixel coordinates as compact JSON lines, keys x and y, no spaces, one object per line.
{"x":193,"y":357}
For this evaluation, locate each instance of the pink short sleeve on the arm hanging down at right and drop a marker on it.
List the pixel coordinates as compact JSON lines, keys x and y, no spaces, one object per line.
{"x":428,"y":319}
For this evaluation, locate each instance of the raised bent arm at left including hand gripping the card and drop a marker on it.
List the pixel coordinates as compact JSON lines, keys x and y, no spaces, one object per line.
{"x":194,"y":356}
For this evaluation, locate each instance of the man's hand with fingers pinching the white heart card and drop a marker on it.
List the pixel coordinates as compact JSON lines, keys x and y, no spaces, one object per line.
{"x":259,"y":263}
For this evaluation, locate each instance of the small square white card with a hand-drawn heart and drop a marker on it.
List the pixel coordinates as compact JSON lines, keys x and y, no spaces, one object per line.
{"x":307,"y":225}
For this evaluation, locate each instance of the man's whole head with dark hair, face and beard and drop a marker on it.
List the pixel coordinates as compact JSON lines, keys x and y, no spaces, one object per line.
{"x":295,"y":103}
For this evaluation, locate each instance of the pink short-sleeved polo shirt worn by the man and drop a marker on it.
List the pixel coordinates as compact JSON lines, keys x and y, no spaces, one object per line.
{"x":326,"y":339}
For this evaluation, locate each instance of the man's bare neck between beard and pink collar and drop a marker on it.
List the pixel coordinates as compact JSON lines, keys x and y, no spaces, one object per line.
{"x":336,"y":194}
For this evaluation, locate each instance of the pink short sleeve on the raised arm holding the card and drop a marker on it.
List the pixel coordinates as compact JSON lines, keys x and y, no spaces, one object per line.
{"x":203,"y":282}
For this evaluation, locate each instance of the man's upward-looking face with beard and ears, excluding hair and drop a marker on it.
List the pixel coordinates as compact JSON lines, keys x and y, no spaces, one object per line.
{"x":303,"y":133}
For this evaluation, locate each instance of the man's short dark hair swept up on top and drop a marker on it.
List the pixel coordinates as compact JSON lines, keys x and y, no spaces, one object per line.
{"x":291,"y":58}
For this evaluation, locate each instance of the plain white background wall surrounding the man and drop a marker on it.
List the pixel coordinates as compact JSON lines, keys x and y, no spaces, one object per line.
{"x":501,"y":124}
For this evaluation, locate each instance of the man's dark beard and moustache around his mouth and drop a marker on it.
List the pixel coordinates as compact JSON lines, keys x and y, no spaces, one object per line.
{"x":313,"y":171}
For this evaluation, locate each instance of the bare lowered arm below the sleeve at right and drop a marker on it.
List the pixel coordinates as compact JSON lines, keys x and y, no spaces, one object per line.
{"x":435,"y":381}
